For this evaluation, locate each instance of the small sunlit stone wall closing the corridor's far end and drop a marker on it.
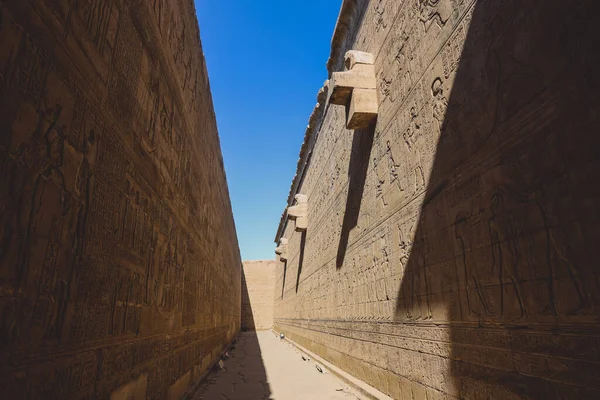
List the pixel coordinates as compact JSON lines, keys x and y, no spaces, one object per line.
{"x":258,"y":283}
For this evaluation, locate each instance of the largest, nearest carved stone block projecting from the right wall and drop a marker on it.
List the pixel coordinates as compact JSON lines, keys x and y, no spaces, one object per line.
{"x":356,"y":88}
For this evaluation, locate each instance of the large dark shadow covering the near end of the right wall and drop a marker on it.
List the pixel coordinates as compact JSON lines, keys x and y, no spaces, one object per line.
{"x":506,"y":246}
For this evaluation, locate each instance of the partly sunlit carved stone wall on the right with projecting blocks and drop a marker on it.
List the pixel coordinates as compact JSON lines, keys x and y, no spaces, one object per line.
{"x":452,"y":248}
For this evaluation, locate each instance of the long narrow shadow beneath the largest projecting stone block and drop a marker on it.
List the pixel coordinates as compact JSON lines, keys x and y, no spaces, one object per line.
{"x":362,"y":142}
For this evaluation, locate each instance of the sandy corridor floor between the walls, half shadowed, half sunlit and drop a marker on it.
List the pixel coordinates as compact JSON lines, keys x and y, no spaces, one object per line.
{"x":263,"y":367}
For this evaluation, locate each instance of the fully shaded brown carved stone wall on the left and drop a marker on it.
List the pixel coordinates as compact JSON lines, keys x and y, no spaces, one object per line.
{"x":119,"y":264}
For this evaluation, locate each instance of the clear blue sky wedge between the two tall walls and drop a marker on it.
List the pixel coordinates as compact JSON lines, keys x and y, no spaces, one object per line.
{"x":266,"y":62}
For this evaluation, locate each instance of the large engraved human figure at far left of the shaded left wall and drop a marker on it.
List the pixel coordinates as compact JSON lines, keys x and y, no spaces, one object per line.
{"x":36,"y":182}
